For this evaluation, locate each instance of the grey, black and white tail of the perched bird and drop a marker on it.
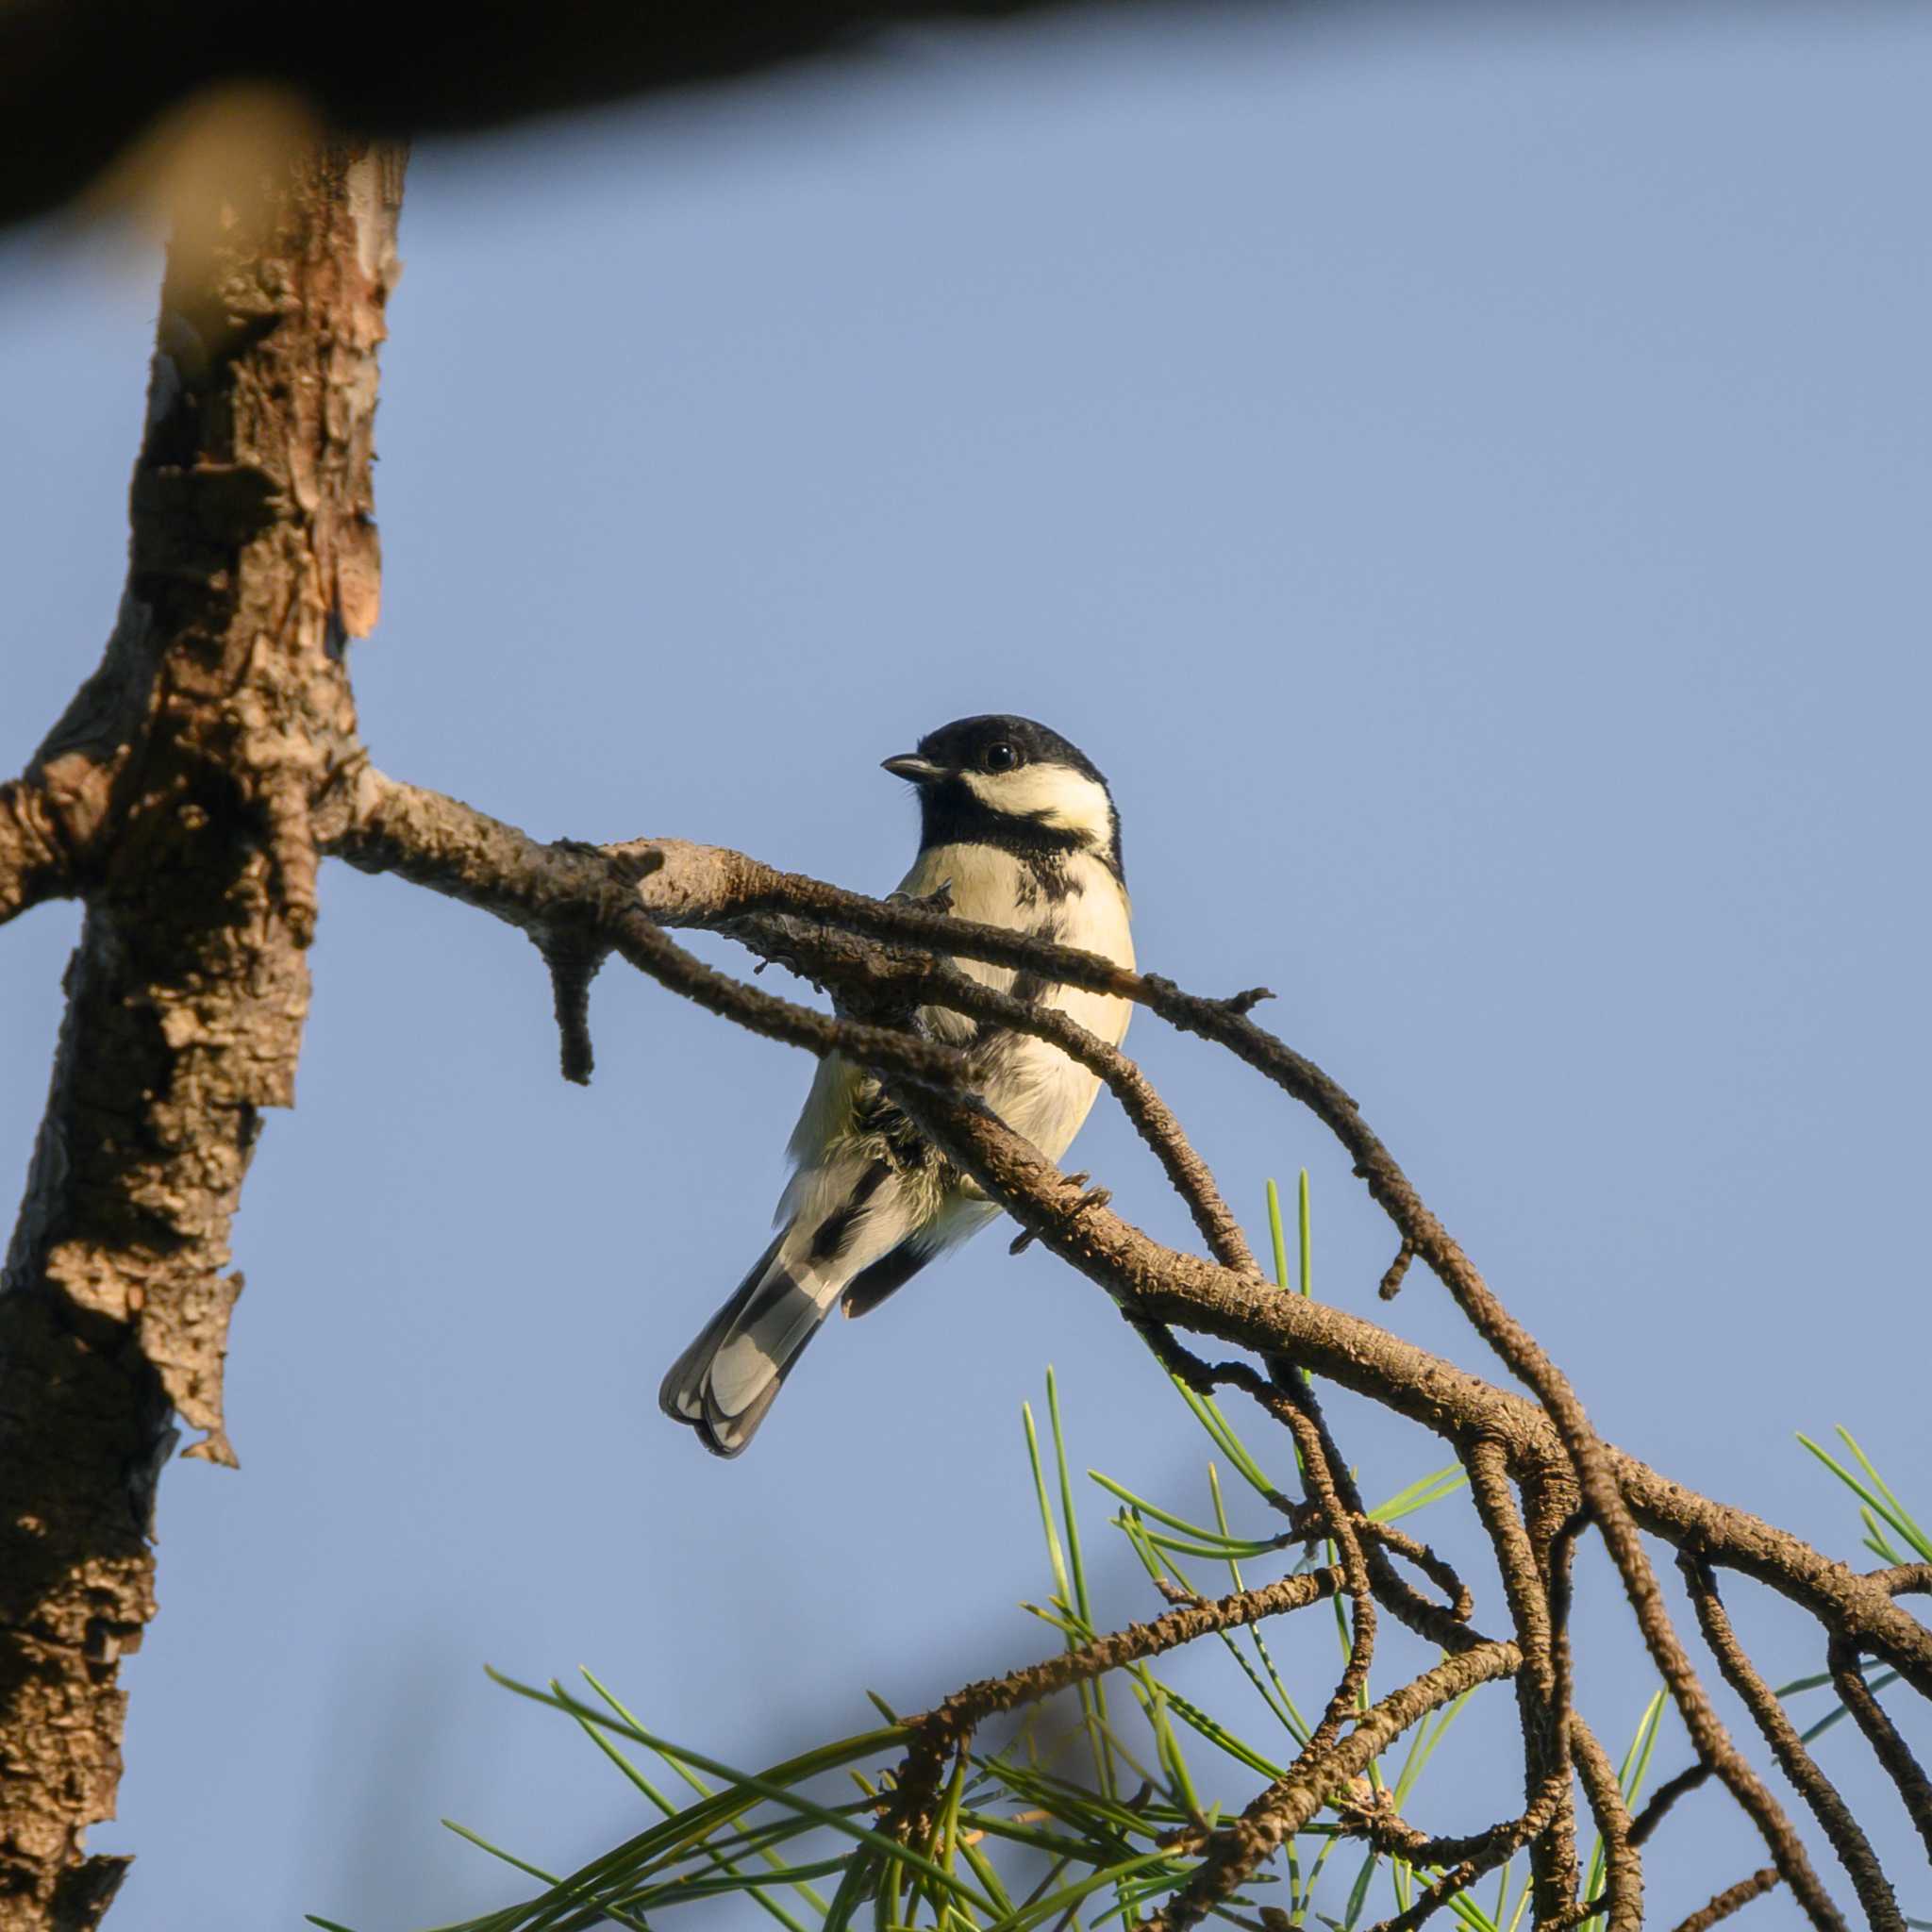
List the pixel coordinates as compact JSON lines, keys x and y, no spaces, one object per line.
{"x":731,"y":1375}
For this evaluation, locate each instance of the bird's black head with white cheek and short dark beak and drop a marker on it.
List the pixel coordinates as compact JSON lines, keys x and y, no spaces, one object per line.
{"x":1013,"y":783}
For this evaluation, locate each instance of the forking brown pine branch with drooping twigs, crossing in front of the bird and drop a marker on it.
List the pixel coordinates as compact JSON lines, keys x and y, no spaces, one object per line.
{"x":886,"y":957}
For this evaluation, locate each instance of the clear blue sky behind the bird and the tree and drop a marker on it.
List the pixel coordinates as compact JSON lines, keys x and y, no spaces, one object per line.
{"x":1465,"y":480}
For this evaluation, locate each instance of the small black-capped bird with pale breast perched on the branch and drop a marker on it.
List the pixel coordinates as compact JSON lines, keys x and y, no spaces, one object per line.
{"x":1021,"y":828}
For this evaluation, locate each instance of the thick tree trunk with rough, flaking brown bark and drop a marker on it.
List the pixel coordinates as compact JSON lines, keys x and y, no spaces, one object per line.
{"x":183,"y":797}
